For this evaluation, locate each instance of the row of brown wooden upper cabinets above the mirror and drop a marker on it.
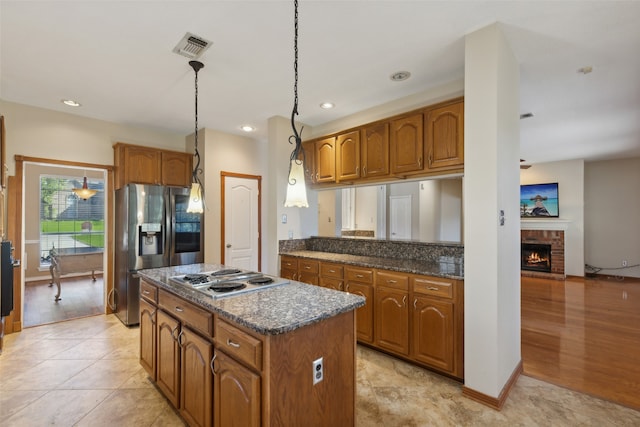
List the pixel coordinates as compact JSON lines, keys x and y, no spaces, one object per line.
{"x":420,"y":143}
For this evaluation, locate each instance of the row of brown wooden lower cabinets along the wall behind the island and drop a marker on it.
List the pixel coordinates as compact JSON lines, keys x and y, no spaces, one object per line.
{"x":418,"y":318}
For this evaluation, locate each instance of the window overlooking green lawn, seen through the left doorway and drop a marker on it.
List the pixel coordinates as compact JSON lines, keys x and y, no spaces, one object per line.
{"x":68,"y":223}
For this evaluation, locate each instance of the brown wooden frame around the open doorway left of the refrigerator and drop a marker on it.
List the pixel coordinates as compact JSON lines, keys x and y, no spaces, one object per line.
{"x":15,"y":216}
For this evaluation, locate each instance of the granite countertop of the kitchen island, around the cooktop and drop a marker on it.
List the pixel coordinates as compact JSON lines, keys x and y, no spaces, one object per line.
{"x":269,"y":311}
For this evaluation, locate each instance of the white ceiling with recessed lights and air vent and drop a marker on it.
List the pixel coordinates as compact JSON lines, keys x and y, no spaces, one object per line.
{"x":115,"y":57}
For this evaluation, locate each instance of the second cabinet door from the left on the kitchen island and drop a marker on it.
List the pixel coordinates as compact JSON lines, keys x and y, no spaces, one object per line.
{"x":168,"y":357}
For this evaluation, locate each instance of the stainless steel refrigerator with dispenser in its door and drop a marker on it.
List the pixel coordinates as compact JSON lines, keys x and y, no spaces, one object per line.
{"x":153,"y":229}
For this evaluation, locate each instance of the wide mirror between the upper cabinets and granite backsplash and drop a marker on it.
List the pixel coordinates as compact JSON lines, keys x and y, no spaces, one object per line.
{"x":424,"y":211}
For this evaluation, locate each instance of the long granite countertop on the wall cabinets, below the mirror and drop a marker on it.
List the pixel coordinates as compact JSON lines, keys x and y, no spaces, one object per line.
{"x":447,"y":267}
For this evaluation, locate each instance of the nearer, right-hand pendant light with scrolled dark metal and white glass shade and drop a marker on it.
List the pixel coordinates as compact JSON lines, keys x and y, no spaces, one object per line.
{"x":296,"y":188}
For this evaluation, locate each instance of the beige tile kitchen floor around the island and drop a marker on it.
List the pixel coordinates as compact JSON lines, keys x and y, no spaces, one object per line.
{"x":85,"y":372}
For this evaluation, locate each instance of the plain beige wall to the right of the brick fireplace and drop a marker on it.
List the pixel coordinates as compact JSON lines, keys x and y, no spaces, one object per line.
{"x":611,"y":219}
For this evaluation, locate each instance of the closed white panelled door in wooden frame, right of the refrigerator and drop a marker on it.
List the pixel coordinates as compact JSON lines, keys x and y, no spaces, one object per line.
{"x":241,"y":230}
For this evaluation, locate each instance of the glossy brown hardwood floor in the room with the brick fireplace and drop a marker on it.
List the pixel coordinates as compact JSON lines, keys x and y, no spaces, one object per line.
{"x":584,"y":334}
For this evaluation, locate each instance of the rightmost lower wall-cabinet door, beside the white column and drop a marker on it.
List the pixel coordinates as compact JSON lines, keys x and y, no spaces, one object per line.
{"x":433,"y":333}
